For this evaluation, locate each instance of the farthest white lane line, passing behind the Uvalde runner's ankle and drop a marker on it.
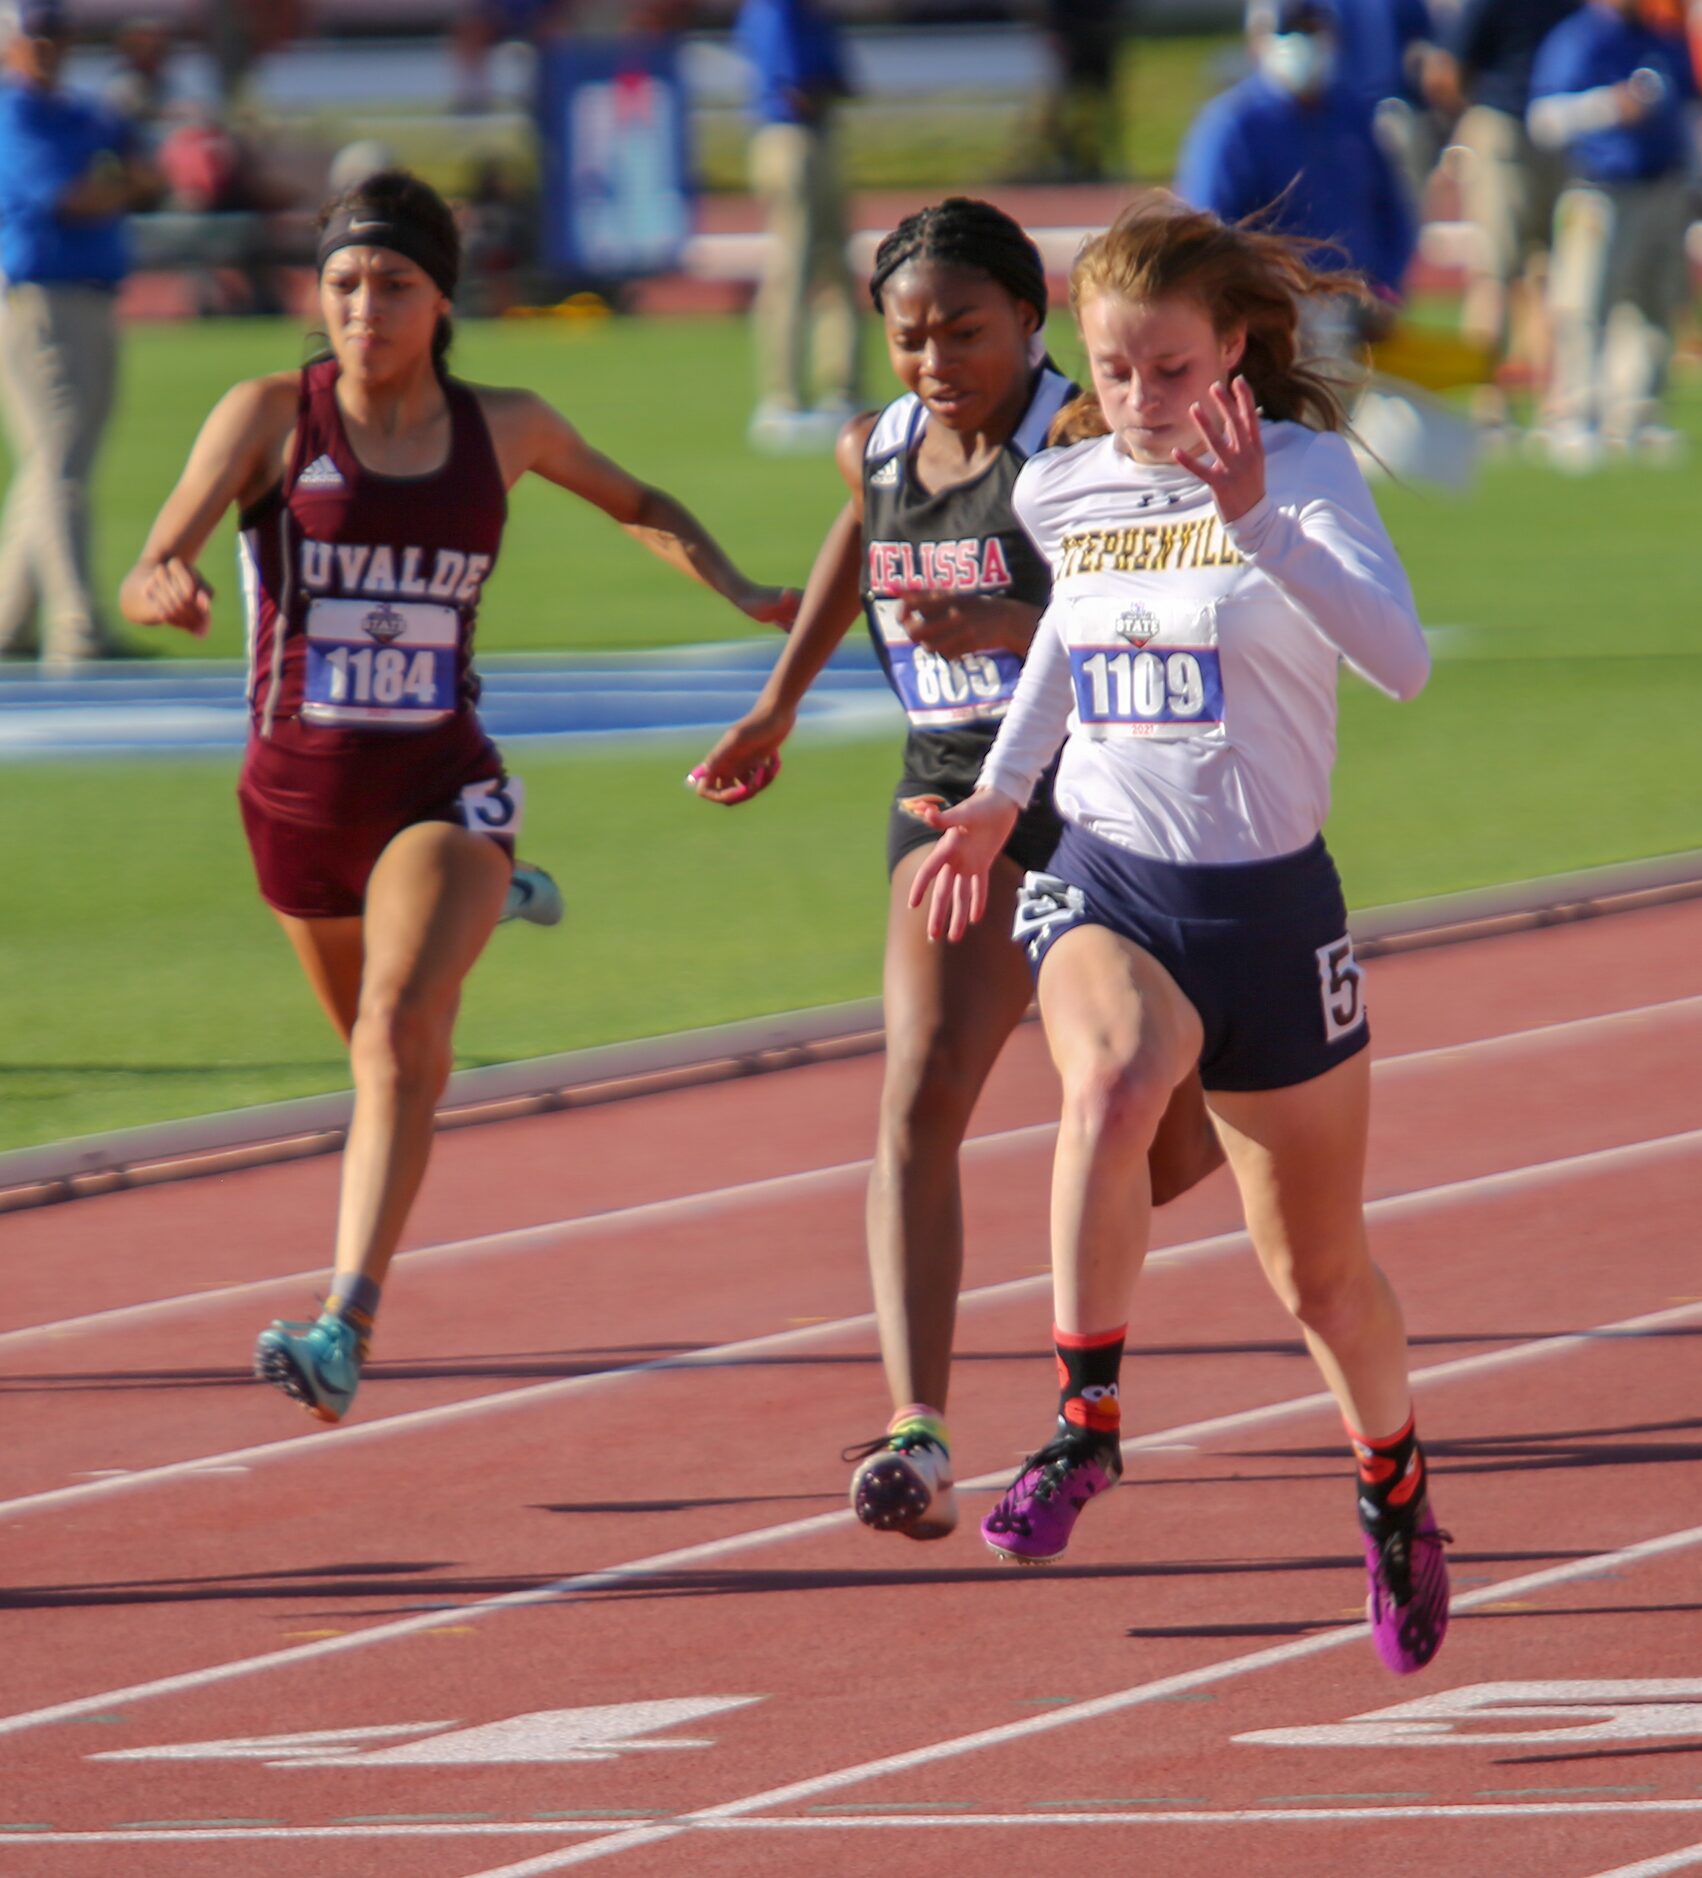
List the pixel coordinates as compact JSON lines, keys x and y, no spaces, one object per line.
{"x":717,"y":1199}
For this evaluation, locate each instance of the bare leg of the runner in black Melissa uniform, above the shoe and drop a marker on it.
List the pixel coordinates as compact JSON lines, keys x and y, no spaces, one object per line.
{"x":950,"y":1011}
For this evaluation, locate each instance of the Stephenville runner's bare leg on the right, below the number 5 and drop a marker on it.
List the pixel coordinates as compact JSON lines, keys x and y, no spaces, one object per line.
{"x":1299,"y":1158}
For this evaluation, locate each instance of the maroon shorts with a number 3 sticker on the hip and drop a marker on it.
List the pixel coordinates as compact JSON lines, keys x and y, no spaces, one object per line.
{"x":318,"y":869}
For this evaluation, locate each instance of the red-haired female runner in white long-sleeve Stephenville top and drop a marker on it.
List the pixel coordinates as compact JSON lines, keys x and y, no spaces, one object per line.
{"x":1215,"y":559}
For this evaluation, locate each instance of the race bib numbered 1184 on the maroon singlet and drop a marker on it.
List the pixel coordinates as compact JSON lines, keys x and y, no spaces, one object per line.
{"x":380,"y":664}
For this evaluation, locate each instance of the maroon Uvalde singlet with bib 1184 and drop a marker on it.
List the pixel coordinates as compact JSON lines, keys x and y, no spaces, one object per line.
{"x":362,"y":594}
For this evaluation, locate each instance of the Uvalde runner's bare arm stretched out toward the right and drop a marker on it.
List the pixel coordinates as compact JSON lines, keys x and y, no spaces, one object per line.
{"x":533,"y":437}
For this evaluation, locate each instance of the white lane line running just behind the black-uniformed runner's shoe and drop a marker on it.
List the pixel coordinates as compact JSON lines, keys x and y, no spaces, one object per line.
{"x":807,"y":1528}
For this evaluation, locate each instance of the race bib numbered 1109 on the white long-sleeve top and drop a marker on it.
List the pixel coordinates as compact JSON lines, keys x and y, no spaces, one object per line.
{"x":1137,"y":675}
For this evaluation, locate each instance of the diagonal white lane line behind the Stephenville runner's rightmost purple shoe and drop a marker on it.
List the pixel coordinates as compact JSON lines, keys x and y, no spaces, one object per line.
{"x":1081,"y":1712}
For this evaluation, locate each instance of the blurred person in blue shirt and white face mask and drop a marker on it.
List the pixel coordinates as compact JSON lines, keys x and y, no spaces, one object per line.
{"x":1295,"y":140}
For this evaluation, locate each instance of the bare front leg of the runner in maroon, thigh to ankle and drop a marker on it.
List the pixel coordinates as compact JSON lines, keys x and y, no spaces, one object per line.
{"x":431,"y":906}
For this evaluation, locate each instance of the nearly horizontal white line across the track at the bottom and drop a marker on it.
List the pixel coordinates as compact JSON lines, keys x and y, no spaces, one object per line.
{"x":166,"y":1836}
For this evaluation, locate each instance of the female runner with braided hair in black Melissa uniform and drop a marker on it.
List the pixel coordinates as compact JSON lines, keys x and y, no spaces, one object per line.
{"x":953,"y":591}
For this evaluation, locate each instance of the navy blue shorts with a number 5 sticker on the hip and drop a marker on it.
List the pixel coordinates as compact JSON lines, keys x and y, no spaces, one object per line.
{"x":1260,"y":949}
